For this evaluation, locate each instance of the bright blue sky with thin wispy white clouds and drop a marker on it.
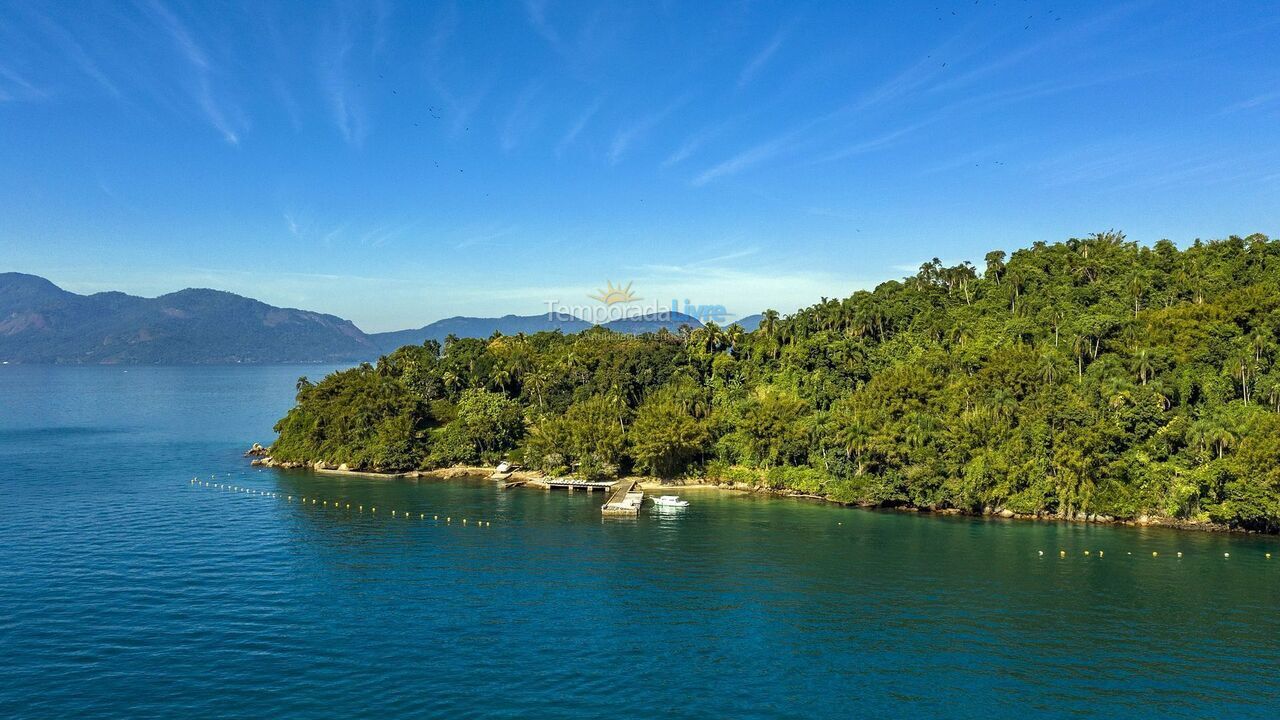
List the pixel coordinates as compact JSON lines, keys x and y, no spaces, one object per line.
{"x":399,"y":163}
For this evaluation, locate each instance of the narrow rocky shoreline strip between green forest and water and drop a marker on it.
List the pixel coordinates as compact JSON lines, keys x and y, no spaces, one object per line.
{"x":262,"y":458}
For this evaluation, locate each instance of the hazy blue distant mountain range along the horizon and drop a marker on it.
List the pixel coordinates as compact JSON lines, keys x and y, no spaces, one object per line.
{"x":42,"y":323}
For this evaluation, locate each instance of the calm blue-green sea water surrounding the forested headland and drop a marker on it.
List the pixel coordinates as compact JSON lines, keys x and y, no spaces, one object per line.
{"x":127,"y":591}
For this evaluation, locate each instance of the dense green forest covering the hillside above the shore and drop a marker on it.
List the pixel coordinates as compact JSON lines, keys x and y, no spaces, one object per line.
{"x":1090,"y":377}
